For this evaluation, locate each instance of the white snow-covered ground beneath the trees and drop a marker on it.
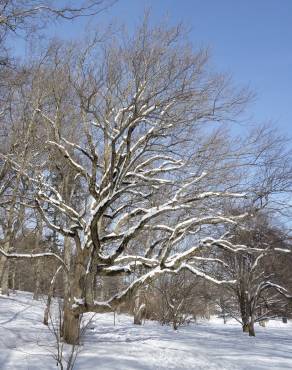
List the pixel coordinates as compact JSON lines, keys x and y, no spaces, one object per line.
{"x":25,"y":343}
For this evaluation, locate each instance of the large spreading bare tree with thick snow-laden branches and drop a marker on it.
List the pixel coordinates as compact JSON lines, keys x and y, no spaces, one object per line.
{"x":148,"y":161}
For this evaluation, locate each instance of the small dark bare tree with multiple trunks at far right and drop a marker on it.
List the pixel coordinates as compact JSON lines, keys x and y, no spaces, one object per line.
{"x":256,"y":291}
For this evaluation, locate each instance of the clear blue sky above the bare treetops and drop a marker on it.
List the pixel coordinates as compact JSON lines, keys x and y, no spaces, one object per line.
{"x":250,"y":39}
